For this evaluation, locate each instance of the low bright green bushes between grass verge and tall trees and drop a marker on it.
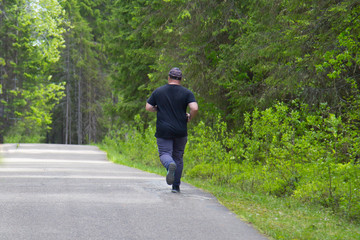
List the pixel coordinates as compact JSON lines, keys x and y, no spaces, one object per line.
{"x":286,"y":151}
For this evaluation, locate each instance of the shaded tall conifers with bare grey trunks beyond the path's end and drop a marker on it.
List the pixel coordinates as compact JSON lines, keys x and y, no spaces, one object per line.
{"x":83,"y":69}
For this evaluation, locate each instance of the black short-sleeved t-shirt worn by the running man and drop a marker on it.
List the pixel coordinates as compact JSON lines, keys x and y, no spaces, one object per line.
{"x":171,"y":101}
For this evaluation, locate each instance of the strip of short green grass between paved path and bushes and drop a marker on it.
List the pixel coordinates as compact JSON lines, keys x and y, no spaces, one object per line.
{"x":278,"y":218}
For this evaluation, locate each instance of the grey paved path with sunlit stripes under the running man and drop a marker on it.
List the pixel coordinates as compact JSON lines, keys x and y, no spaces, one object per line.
{"x":73,"y":192}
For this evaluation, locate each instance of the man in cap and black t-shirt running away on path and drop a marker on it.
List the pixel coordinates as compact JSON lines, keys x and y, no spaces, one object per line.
{"x":170,"y":102}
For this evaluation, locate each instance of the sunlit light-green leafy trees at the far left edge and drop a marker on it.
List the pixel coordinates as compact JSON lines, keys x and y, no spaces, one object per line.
{"x":30,"y":46}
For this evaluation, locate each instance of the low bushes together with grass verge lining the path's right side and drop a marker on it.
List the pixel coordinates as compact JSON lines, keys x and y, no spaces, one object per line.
{"x":286,"y":153}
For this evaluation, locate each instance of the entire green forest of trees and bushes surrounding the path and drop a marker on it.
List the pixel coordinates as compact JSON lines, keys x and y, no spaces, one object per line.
{"x":277,"y":83}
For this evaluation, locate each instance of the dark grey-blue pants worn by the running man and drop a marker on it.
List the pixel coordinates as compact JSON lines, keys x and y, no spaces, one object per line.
{"x":172,"y":150}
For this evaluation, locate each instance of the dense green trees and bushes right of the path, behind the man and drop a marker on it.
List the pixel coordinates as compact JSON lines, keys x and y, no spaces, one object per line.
{"x":277,"y":83}
